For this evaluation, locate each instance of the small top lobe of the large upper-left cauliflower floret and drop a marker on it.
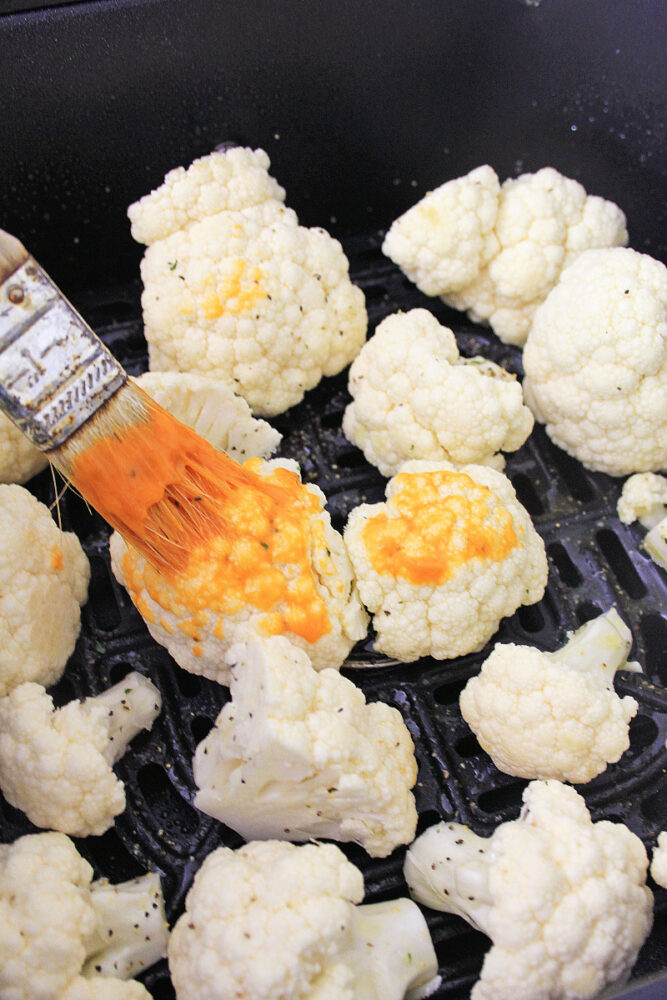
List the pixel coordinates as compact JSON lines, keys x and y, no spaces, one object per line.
{"x":222,"y":181}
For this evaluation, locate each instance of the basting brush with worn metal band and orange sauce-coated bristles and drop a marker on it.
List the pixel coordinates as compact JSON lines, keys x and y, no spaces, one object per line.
{"x":151,"y":477}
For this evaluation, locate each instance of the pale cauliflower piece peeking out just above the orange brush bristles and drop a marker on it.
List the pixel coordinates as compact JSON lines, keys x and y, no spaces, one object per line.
{"x":214,"y":411}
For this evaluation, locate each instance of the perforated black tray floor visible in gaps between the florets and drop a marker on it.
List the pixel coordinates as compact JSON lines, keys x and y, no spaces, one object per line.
{"x":594,"y":562}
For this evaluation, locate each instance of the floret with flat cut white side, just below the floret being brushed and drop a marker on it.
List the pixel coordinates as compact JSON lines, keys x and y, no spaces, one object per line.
{"x":298,"y":754}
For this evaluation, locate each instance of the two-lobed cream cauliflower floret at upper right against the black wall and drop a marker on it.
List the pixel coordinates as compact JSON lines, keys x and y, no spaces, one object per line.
{"x":497,"y":250}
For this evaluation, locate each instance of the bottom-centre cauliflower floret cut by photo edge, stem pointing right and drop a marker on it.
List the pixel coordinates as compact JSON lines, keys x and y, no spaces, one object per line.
{"x":273,"y":921}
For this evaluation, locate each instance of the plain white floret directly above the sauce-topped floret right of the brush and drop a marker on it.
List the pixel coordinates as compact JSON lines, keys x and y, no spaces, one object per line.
{"x":414,"y":397}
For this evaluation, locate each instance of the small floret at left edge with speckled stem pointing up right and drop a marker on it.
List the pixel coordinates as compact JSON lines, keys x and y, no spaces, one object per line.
{"x":56,"y":764}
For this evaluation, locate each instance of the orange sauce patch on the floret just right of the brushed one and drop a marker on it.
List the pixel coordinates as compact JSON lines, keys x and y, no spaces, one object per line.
{"x":445,"y":519}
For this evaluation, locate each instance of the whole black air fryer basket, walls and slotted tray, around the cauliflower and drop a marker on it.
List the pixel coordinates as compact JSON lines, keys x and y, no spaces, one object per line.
{"x":362,"y":107}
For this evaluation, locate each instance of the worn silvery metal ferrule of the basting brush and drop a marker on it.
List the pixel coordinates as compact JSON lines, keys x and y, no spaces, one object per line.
{"x":55,"y":373}
